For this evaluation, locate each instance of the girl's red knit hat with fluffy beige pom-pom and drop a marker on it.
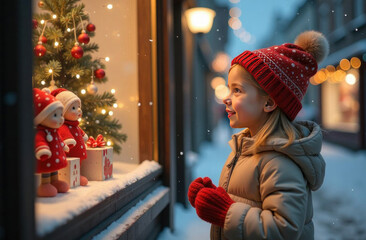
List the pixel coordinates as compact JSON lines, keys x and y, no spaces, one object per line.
{"x":283,"y":71}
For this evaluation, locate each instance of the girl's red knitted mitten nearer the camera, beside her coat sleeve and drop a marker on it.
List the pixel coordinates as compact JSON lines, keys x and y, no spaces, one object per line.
{"x":212,"y":205}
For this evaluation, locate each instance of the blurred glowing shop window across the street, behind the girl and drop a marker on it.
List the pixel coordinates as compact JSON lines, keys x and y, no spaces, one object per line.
{"x":340,"y":95}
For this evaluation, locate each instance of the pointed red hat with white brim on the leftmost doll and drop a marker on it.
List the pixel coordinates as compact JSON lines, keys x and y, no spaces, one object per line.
{"x":44,"y":104}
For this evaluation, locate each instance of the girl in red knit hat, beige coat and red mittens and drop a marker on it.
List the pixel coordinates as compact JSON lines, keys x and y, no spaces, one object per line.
{"x":265,"y":186}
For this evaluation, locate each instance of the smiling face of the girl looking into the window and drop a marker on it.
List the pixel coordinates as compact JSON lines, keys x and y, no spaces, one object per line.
{"x":244,"y":104}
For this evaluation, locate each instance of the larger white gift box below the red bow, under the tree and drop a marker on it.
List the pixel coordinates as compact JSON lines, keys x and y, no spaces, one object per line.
{"x":98,"y":165}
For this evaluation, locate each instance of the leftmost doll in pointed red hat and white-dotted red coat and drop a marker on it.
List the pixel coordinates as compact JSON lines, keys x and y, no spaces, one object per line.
{"x":49,"y":147}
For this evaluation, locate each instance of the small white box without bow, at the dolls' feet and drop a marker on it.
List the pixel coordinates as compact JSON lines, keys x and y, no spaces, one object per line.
{"x":71,"y":173}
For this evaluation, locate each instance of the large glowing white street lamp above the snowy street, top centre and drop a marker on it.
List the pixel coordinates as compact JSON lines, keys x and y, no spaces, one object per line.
{"x":200,"y":19}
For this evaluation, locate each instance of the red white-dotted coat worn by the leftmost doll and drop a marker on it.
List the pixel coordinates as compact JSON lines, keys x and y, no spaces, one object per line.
{"x":58,"y":158}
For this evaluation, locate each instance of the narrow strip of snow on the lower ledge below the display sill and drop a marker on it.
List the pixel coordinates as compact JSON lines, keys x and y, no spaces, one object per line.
{"x":114,"y":230}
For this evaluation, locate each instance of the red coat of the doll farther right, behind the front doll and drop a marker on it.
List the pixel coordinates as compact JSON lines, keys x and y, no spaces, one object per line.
{"x":71,"y":129}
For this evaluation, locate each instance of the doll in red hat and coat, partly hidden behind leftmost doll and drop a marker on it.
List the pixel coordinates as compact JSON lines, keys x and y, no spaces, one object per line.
{"x":70,"y":131}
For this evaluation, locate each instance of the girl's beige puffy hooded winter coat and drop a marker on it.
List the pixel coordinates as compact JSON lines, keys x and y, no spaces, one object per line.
{"x":272,"y":189}
